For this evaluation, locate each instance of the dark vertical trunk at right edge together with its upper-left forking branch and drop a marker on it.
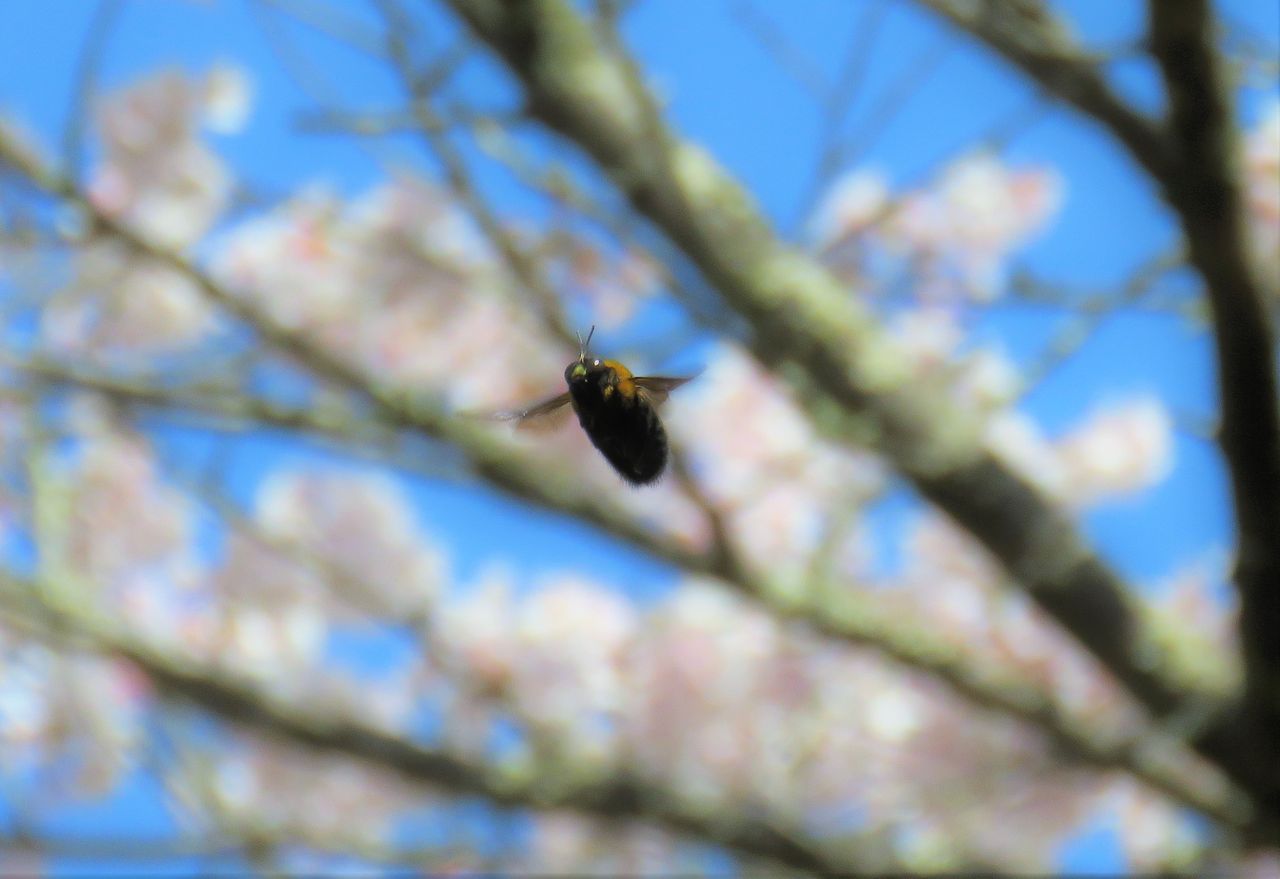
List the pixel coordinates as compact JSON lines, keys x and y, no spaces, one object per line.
{"x":1194,"y":158}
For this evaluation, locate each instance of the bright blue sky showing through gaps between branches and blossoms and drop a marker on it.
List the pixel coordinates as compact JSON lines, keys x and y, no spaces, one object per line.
{"x":728,"y":94}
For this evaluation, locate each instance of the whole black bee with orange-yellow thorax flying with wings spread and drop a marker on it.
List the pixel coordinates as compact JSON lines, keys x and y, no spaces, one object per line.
{"x":618,"y":410}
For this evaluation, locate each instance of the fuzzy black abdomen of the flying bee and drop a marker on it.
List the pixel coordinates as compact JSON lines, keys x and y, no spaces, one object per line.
{"x":627,"y":432}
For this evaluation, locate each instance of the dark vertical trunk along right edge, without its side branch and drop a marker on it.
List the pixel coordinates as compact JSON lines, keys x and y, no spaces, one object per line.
{"x":1205,"y":190}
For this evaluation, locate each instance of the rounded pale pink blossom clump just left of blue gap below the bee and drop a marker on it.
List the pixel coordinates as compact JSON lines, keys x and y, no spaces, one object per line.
{"x":321,"y":551}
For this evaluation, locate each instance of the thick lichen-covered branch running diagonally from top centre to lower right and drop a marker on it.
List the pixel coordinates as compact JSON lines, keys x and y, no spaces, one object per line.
{"x":803,"y":317}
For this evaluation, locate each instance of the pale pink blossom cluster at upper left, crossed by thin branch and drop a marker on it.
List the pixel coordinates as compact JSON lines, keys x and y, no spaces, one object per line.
{"x":157,"y":176}
